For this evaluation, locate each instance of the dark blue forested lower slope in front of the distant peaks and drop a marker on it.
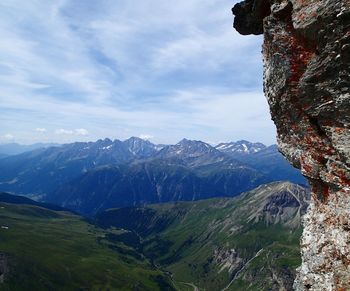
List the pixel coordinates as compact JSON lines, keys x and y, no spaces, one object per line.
{"x":151,"y":182}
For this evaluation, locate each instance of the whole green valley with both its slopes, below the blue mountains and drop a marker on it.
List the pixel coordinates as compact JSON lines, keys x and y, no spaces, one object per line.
{"x":250,"y":242}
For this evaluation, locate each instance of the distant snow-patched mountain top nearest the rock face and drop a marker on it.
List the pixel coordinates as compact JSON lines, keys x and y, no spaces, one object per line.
{"x":240,"y":147}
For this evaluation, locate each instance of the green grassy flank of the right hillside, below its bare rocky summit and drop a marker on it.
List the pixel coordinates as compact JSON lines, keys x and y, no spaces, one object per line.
{"x":195,"y":230}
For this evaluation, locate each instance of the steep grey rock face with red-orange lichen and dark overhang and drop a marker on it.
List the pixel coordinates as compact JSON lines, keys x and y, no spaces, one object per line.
{"x":306,"y":81}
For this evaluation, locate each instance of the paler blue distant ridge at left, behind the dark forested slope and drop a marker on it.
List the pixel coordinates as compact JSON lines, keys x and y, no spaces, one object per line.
{"x":43,"y":170}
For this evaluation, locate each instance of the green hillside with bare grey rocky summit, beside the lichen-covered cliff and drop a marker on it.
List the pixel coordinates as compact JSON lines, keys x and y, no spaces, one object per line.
{"x":251,"y":241}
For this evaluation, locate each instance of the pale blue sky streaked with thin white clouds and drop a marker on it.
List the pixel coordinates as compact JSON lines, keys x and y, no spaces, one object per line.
{"x":80,"y":70}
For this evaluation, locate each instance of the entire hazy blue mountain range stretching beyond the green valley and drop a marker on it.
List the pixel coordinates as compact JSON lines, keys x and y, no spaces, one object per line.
{"x":91,"y":176}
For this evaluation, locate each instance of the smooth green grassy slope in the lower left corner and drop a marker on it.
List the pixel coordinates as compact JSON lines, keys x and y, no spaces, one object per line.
{"x":51,"y":250}
